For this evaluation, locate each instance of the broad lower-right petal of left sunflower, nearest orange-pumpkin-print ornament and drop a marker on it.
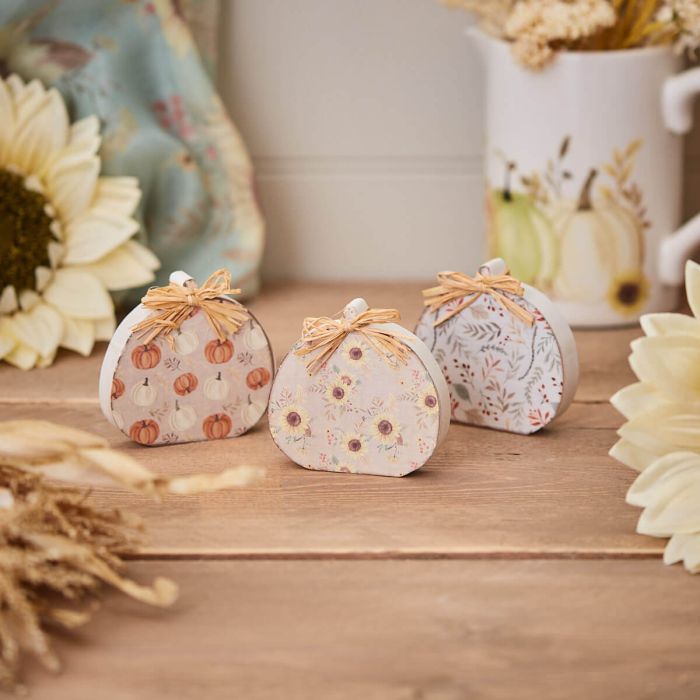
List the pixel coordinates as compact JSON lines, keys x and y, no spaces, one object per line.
{"x":79,"y":294}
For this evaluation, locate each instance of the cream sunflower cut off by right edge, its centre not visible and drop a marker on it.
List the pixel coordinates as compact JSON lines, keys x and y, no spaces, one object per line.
{"x":661,"y":437}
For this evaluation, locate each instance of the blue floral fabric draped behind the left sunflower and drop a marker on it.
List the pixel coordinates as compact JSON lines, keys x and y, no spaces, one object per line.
{"x":134,"y":64}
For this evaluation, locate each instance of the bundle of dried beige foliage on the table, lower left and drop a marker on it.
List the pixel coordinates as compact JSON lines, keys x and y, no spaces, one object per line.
{"x":56,"y":549}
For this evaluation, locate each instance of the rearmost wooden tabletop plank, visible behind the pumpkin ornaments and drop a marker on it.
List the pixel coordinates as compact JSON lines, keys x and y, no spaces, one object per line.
{"x":281,"y":309}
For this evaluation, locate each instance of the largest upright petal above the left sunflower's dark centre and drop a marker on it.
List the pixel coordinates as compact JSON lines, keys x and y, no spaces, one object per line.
{"x":39,"y":133}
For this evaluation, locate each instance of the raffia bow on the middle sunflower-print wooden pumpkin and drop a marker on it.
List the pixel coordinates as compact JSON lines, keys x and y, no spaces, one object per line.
{"x":324,"y":335}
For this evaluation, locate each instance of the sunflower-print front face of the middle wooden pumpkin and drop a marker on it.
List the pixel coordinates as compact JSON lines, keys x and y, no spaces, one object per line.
{"x":358,"y":413}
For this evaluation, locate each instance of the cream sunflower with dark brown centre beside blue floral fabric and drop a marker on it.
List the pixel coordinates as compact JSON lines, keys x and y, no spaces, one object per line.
{"x":65,"y":232}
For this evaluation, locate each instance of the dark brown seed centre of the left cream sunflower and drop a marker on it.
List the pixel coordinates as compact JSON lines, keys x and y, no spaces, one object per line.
{"x":25,"y":233}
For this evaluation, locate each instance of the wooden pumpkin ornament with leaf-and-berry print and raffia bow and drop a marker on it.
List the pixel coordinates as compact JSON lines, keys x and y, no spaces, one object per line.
{"x":508,"y":355}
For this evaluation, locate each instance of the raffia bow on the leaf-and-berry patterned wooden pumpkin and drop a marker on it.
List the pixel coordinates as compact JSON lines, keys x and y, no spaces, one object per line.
{"x":456,"y":285}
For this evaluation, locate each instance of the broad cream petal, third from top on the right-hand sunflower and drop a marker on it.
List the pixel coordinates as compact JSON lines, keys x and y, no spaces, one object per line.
{"x":671,"y":364}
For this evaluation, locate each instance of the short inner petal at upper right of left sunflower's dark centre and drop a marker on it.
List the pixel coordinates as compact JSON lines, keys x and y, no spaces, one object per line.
{"x":71,"y":186}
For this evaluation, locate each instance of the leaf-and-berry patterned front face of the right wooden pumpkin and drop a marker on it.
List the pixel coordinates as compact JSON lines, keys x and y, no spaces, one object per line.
{"x":501,"y":372}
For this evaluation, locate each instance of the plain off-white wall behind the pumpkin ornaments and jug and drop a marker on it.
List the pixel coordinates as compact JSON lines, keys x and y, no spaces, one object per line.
{"x":364,"y":121}
